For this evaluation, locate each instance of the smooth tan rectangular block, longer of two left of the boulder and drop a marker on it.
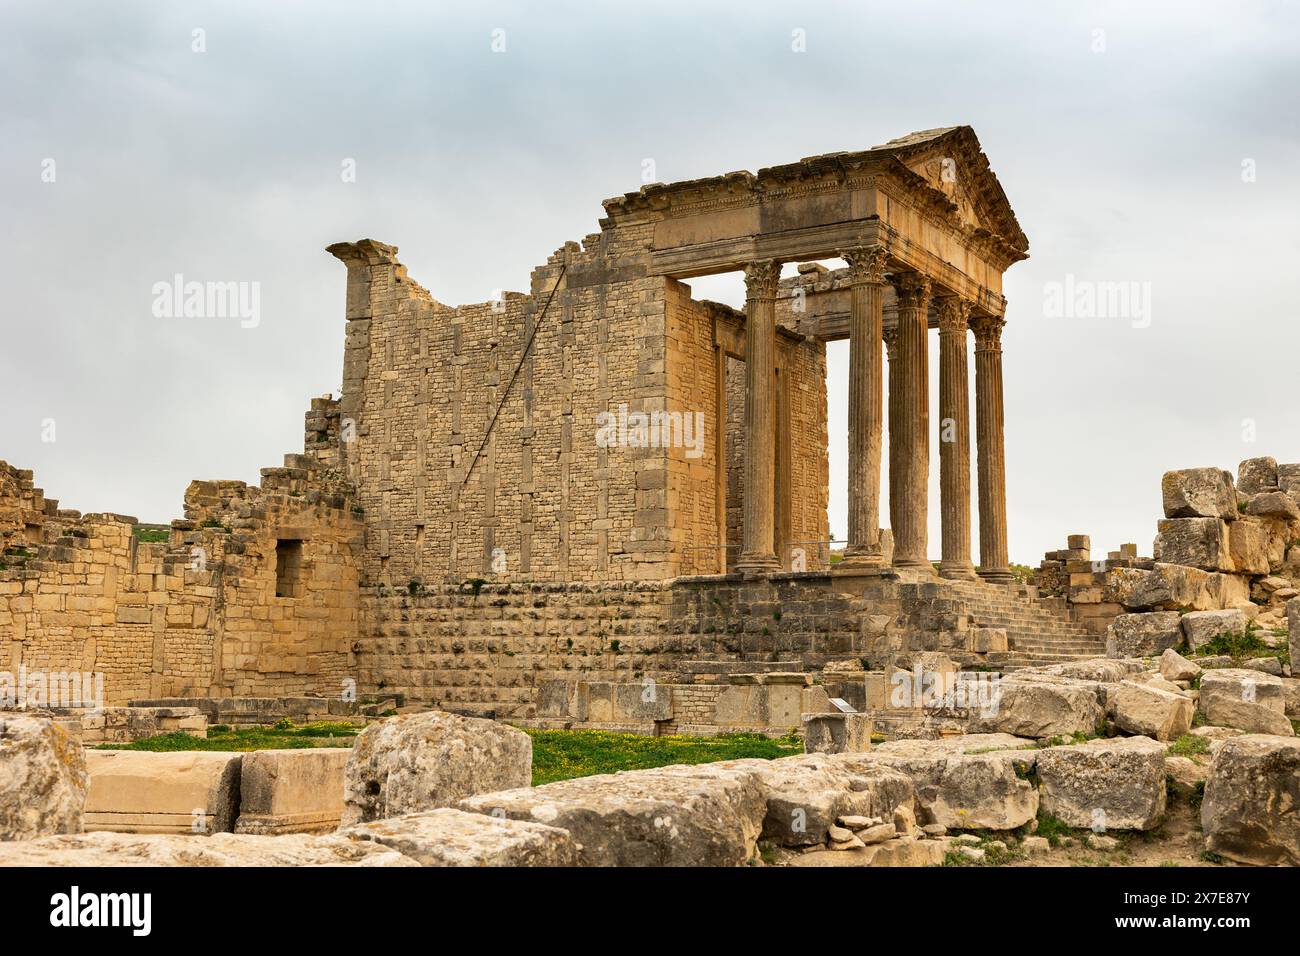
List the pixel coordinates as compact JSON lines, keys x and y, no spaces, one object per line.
{"x":176,"y":793}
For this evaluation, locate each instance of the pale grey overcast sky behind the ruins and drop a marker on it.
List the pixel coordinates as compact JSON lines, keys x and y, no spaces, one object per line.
{"x":1149,"y":144}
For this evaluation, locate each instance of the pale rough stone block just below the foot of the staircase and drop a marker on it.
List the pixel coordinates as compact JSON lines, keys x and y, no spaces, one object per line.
{"x":1041,"y":707}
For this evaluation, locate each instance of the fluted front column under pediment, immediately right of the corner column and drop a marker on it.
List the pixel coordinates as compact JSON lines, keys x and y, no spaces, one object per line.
{"x":909,"y":449}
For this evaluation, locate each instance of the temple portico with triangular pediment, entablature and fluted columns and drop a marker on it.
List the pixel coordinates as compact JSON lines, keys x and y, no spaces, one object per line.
{"x":926,"y":235}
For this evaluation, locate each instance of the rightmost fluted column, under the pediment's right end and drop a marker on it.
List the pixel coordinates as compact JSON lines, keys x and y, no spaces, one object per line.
{"x":989,"y":435}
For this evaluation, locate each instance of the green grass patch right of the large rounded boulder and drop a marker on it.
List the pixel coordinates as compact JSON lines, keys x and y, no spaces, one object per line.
{"x":562,"y":755}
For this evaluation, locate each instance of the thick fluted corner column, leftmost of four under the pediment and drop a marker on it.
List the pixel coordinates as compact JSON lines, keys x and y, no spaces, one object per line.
{"x":866,"y":406}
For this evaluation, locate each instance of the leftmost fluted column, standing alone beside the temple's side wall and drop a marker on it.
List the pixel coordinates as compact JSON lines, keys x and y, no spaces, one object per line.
{"x":759,"y":553}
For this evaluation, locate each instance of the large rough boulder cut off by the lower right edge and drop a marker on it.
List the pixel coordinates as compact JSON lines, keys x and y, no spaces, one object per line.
{"x":1250,"y":812}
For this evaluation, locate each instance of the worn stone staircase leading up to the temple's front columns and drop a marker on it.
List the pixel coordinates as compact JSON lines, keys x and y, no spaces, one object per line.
{"x":1039,"y":630}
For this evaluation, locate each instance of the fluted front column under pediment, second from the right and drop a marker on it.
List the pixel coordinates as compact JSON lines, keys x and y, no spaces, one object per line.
{"x":955,"y":439}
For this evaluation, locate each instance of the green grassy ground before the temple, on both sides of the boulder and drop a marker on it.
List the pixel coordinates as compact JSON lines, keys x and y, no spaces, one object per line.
{"x":558,"y":755}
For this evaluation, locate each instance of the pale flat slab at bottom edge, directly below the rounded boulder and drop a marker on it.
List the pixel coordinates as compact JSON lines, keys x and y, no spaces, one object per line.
{"x":454,"y":838}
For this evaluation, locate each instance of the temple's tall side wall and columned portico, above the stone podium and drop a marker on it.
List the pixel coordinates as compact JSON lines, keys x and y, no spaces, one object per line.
{"x":478,"y":434}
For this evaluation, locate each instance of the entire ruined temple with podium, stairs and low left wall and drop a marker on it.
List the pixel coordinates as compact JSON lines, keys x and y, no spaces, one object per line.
{"x":601,"y":479}
